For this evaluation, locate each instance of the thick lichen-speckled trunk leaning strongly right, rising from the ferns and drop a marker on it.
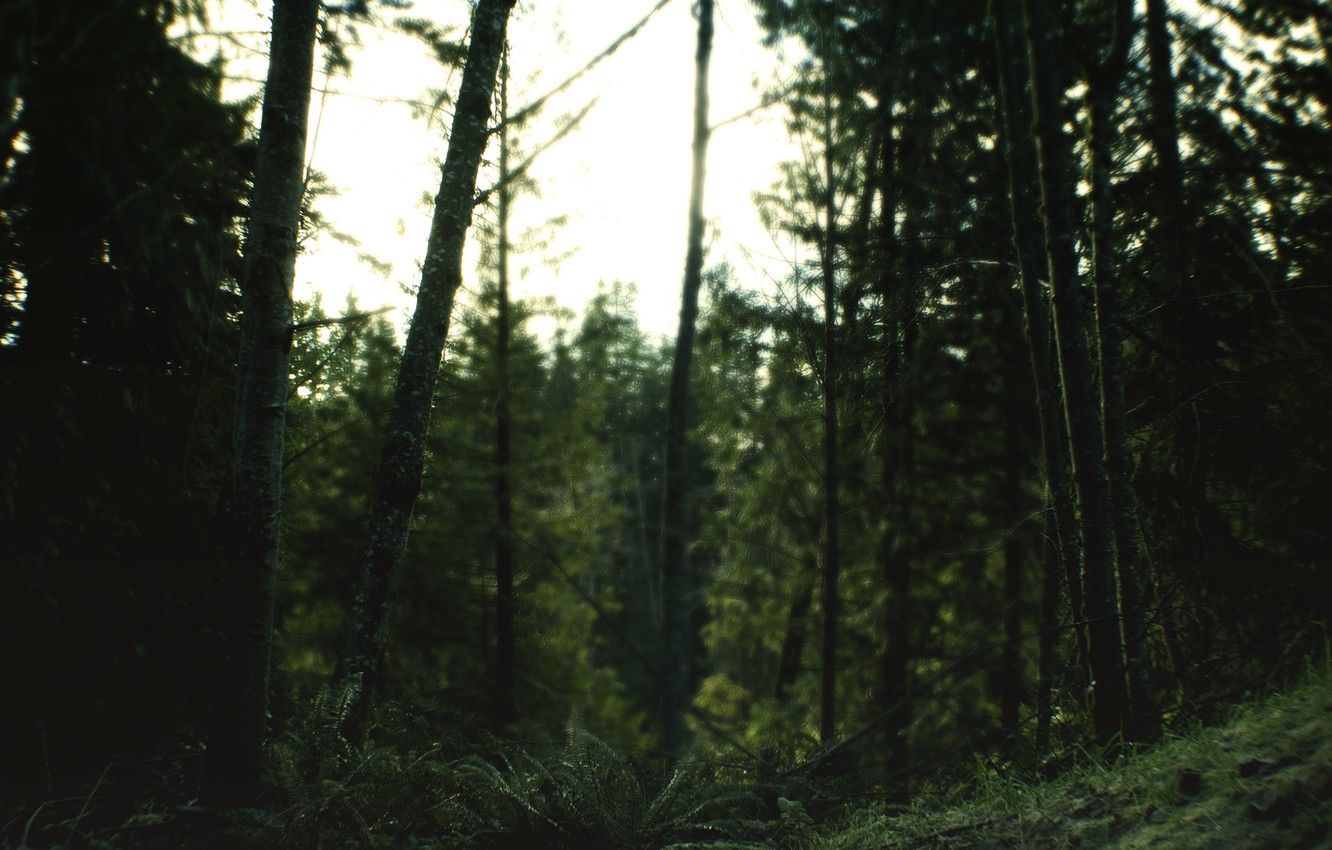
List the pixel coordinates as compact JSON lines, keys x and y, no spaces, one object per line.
{"x":403,"y":456}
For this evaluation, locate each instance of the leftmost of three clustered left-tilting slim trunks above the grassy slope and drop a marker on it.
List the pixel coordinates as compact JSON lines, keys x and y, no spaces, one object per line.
{"x":1028,"y":247}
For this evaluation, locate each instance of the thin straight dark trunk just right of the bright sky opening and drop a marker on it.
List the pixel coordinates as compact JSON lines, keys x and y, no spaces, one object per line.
{"x":832,"y":600}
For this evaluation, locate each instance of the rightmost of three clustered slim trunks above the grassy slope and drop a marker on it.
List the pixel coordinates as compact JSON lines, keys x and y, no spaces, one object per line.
{"x":1101,"y":98}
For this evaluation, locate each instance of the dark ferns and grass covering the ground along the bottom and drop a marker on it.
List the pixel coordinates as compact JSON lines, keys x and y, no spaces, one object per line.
{"x":1262,"y":779}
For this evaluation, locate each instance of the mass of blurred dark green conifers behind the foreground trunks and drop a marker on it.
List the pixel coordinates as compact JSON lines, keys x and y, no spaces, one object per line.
{"x":965,"y":623}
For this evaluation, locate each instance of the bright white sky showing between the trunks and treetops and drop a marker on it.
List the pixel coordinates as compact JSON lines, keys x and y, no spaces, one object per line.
{"x":621,"y":179}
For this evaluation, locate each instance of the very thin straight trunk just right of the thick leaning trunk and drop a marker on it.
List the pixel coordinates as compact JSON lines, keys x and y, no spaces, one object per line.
{"x":505,"y":711}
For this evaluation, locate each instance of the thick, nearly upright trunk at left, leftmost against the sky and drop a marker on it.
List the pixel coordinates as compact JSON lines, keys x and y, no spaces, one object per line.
{"x":248,"y":578}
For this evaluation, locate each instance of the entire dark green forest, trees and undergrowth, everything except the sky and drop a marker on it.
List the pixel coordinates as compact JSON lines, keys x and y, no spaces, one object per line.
{"x":1017,"y":478}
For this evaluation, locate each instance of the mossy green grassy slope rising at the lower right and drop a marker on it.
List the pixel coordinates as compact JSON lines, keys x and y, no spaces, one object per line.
{"x":1262,"y":780}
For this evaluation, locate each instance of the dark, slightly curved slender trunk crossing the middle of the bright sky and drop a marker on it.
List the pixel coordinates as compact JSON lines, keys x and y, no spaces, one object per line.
{"x":676,"y":587}
